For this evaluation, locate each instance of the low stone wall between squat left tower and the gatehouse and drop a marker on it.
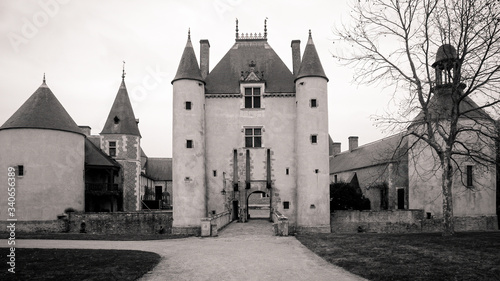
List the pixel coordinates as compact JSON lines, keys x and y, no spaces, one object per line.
{"x":150,"y":222}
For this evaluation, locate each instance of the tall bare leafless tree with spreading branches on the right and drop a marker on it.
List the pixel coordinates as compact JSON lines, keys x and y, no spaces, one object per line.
{"x":437,"y":55}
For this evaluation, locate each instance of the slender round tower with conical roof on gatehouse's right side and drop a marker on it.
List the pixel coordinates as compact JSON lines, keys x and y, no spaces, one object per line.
{"x":312,"y":143}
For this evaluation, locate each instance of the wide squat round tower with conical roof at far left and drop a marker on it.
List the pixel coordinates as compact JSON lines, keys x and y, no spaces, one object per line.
{"x":43,"y":150}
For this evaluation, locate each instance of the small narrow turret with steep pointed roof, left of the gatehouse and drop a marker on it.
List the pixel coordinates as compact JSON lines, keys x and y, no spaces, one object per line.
{"x":121,"y":139}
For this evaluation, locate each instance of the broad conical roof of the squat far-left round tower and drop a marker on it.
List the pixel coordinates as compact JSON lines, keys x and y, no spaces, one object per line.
{"x":42,"y":111}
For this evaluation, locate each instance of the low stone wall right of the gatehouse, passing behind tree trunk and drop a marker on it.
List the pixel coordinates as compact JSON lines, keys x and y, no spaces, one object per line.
{"x":402,"y":221}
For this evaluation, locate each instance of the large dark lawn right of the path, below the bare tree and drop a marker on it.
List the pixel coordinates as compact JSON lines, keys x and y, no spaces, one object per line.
{"x":422,"y":256}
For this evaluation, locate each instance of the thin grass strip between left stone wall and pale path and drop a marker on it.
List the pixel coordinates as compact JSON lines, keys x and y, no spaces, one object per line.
{"x":87,"y":236}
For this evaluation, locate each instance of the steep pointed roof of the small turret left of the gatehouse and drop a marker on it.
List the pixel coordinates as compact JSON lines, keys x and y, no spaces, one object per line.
{"x":121,"y":118}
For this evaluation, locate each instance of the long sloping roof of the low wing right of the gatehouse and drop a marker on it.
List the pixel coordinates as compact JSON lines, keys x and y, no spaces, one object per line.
{"x":372,"y":154}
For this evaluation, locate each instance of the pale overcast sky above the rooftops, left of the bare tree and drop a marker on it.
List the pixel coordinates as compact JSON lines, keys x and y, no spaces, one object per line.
{"x":80,"y":45}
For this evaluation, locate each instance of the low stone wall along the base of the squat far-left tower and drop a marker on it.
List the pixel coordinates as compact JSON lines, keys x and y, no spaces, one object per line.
{"x":37,"y":226}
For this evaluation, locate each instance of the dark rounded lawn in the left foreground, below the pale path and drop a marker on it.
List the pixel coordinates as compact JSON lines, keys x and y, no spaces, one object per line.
{"x":78,"y":264}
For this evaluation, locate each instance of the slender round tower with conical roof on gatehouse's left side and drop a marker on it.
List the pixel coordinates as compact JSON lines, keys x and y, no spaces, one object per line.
{"x":189,"y":186}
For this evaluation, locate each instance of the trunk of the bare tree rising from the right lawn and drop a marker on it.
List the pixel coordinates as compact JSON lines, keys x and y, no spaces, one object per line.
{"x":447,"y":182}
